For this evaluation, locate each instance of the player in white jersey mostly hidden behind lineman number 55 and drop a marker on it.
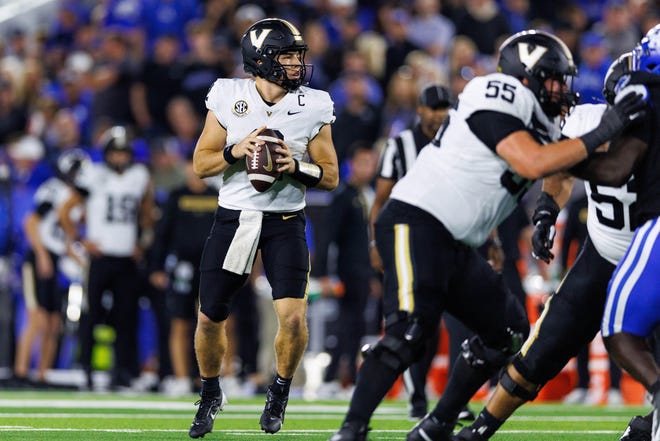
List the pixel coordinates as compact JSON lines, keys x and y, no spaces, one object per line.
{"x":572,"y":316}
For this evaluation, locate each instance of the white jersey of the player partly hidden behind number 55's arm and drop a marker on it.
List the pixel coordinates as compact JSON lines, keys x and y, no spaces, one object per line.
{"x":608,"y":215}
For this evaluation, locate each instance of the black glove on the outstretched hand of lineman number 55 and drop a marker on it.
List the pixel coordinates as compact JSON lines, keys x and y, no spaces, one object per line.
{"x":614,"y":120}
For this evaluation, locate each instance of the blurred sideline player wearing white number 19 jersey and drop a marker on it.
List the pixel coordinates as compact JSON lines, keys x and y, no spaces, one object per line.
{"x":119,"y":213}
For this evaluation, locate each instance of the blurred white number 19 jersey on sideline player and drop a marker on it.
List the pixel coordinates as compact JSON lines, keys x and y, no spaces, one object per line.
{"x":113,"y":205}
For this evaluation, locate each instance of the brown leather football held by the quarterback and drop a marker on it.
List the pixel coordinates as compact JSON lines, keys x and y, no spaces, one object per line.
{"x":262,"y":168}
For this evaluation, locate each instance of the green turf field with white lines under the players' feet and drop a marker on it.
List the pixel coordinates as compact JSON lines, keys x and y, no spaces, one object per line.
{"x":70,"y":416}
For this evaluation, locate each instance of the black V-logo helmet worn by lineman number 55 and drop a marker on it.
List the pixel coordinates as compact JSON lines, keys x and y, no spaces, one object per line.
{"x":537,"y":56}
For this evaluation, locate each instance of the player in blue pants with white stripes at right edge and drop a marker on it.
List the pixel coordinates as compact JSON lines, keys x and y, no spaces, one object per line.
{"x":632,"y":310}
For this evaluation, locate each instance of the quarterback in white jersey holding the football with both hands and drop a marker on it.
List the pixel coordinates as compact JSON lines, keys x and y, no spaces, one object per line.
{"x":273,"y":221}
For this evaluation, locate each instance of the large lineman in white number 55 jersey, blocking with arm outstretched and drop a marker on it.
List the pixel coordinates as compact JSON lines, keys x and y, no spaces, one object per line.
{"x":502,"y":136}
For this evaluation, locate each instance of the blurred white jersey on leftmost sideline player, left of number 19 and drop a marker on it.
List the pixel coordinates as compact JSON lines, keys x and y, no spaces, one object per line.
{"x":53,"y":192}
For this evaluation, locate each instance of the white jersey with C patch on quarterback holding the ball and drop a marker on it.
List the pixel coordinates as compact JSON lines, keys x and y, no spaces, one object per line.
{"x":240,"y":110}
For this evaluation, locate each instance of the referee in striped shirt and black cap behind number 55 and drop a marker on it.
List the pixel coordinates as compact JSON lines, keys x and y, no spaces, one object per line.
{"x":396,"y":159}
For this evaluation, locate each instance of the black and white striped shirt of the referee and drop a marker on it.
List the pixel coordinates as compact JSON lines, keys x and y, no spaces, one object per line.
{"x":400,"y":153}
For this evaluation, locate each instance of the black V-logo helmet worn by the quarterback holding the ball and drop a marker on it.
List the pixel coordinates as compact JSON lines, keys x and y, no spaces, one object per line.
{"x":261,"y":45}
